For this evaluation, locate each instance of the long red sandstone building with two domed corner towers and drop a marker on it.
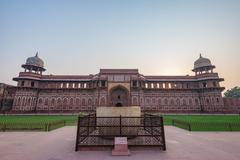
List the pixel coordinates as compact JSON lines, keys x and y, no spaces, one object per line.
{"x":37,"y":92}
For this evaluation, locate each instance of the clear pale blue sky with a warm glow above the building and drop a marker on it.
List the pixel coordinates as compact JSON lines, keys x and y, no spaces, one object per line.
{"x":157,"y":37}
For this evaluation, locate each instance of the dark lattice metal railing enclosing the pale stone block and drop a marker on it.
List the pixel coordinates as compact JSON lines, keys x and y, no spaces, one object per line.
{"x":144,"y":131}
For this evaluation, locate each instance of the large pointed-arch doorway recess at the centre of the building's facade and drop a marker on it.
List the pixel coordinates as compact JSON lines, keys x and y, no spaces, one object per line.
{"x":119,"y":96}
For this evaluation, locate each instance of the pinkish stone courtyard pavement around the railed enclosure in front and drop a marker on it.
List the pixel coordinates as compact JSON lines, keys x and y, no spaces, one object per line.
{"x":59,"y":145}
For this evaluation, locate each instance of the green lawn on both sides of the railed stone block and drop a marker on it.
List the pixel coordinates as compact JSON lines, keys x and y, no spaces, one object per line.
{"x":49,"y":122}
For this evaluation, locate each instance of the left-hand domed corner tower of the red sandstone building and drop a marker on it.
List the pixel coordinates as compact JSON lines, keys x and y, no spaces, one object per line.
{"x":28,"y":84}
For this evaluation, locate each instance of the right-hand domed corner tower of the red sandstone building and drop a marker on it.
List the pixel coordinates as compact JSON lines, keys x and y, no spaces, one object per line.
{"x":208,"y":84}
